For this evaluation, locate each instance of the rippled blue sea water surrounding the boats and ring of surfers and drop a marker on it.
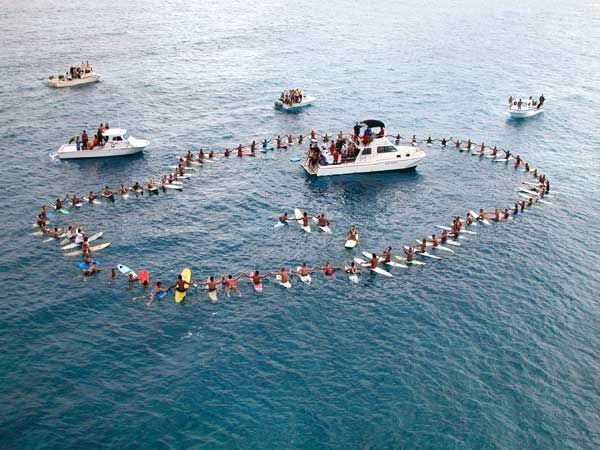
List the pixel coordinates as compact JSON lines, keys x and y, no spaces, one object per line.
{"x":495,"y":346}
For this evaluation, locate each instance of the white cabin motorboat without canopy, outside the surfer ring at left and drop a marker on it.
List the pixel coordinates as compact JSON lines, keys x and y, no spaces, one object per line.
{"x":117,"y":142}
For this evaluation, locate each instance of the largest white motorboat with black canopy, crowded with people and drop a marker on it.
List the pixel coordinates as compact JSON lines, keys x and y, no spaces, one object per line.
{"x":371,"y":154}
